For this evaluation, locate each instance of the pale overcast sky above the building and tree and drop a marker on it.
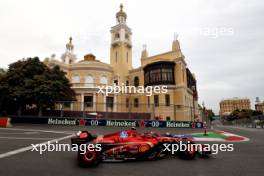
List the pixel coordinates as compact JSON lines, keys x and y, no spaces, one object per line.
{"x":222,"y":40}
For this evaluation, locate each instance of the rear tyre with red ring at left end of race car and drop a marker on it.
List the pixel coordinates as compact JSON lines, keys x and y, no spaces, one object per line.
{"x":89,"y":158}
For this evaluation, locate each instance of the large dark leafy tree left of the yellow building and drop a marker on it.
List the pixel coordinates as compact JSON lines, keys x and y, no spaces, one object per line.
{"x":30,"y":82}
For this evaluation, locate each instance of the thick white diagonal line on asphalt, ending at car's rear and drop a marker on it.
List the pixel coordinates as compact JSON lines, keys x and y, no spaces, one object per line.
{"x":7,"y":154}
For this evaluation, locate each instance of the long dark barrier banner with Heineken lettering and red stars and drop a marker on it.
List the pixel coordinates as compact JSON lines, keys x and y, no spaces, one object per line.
{"x":106,"y":122}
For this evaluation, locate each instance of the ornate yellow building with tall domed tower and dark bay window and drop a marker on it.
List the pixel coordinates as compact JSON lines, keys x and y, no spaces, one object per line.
{"x":168,"y":68}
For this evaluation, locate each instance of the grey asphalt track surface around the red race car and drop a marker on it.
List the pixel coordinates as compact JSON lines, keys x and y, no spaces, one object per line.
{"x":246,"y":159}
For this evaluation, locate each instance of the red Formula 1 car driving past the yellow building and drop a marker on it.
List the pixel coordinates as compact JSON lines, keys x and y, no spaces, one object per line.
{"x":131,"y":145}
